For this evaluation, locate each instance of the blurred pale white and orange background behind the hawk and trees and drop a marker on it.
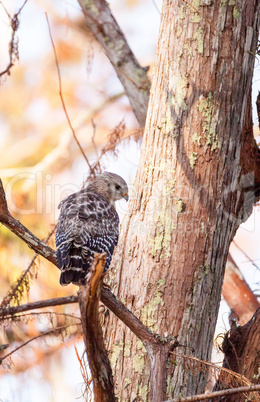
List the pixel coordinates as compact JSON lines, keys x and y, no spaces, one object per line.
{"x":41,"y":163}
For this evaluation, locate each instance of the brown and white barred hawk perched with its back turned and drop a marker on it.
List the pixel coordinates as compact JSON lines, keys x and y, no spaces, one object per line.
{"x":88,"y":224}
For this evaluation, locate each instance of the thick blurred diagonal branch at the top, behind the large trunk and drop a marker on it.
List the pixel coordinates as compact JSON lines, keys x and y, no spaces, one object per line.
{"x":133,"y":77}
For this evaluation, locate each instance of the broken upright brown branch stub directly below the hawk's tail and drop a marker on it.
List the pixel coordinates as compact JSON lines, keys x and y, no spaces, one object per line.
{"x":89,"y":296}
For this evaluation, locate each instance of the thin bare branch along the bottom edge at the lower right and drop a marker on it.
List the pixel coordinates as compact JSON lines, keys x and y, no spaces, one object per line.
{"x":211,"y":395}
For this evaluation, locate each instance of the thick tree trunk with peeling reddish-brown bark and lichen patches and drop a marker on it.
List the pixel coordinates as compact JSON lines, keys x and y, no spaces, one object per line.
{"x":186,"y":204}
